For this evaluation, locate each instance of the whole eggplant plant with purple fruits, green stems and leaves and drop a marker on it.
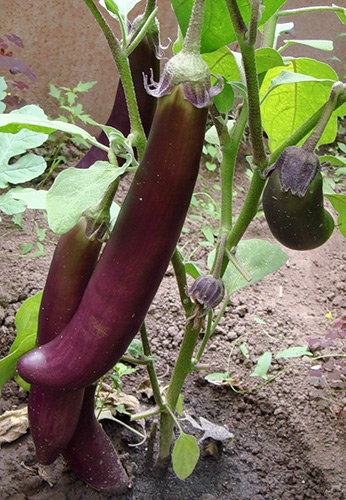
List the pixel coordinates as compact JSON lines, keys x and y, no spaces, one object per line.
{"x":155,"y":133}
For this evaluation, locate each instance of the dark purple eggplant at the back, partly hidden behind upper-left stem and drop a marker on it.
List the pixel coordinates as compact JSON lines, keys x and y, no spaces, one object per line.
{"x":142,"y":60}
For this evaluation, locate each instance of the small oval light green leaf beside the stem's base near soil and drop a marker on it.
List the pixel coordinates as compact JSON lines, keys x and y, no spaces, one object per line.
{"x":185,"y":455}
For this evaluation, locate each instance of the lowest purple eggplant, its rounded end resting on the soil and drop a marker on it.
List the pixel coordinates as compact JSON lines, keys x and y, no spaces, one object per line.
{"x":91,"y":455}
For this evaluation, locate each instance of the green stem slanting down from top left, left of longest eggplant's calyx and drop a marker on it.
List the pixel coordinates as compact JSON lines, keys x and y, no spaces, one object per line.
{"x":119,"y":55}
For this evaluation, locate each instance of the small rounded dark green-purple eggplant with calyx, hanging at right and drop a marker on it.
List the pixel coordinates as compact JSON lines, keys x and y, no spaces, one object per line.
{"x":293,"y":201}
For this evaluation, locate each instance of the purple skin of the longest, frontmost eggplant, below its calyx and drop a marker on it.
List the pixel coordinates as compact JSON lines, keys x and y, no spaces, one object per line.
{"x":135,"y":258}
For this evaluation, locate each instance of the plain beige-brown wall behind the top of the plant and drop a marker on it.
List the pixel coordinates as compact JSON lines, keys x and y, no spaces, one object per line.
{"x":64,"y":45}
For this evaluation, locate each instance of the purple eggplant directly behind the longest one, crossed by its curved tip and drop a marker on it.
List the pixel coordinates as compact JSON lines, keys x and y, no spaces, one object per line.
{"x":53,"y":415}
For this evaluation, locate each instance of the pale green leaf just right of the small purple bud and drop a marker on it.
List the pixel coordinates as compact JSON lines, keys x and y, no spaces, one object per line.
{"x":258,"y":257}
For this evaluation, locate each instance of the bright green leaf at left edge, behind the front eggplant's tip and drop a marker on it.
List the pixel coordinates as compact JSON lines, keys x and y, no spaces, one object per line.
{"x":26,"y":323}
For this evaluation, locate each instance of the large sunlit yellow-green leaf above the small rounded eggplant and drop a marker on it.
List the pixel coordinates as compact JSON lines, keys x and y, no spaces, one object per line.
{"x":289,"y":105}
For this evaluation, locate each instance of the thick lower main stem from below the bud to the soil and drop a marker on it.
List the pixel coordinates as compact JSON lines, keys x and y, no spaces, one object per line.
{"x":182,"y":368}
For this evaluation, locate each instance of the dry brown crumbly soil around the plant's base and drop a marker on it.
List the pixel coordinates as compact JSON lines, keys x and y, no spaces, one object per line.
{"x":288,"y":443}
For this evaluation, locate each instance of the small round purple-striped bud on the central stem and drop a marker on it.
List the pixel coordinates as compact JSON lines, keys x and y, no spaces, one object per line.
{"x":207,"y":291}
